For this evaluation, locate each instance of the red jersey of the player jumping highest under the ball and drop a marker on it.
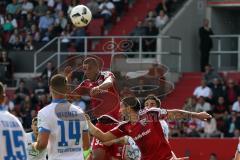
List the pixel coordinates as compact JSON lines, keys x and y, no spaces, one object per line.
{"x":94,"y":103}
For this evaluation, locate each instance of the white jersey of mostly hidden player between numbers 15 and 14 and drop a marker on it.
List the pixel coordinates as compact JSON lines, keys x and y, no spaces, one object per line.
{"x":33,"y":154}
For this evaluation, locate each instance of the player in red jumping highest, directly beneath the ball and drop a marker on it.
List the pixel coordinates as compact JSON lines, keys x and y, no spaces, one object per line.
{"x":99,"y":81}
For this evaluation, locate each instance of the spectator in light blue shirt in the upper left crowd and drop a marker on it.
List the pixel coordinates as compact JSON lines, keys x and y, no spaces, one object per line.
{"x":45,"y":22}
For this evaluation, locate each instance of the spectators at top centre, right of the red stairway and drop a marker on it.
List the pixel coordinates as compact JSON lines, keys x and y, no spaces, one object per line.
{"x":152,"y":25}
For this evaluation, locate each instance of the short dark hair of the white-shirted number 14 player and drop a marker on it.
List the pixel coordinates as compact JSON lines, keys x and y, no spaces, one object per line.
{"x":59,"y":83}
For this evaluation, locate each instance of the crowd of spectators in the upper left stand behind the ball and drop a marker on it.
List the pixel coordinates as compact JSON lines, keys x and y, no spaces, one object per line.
{"x":27,"y":24}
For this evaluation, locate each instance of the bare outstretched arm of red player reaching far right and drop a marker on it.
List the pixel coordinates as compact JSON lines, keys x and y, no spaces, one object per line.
{"x":175,"y":114}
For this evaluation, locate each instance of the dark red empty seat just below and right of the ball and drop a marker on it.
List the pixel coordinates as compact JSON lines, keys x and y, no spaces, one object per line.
{"x":95,"y":28}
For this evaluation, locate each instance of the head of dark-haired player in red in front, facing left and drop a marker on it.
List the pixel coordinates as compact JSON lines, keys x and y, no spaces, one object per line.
{"x":130,"y":105}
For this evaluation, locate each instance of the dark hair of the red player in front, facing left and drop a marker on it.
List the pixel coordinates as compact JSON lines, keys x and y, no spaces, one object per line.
{"x":132,"y":102}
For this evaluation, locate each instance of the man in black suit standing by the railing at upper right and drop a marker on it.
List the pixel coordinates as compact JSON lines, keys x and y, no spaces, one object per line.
{"x":206,"y":43}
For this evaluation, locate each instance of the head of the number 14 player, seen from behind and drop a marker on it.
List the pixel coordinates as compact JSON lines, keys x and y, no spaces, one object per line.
{"x":58,"y":86}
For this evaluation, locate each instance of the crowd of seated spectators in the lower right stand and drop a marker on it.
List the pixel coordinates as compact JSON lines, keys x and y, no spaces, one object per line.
{"x":219,"y":96}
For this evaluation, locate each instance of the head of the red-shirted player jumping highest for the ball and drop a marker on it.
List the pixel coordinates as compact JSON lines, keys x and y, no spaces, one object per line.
{"x":91,"y":68}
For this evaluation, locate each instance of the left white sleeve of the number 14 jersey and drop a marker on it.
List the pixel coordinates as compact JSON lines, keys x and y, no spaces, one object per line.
{"x":43,"y":123}
